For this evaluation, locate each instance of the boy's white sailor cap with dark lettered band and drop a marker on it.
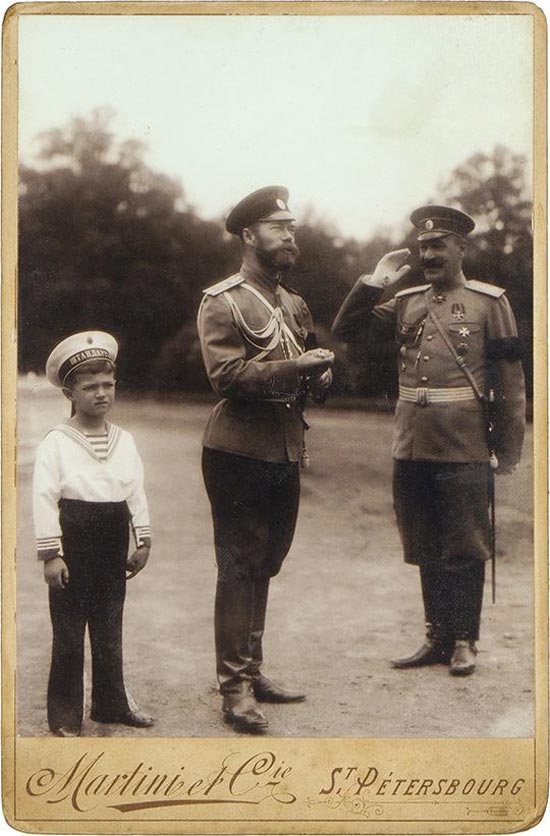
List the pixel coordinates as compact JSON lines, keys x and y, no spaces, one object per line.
{"x":77,"y":349}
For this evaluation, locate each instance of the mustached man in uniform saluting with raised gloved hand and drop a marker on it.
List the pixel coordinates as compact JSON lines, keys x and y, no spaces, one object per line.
{"x":458,"y":350}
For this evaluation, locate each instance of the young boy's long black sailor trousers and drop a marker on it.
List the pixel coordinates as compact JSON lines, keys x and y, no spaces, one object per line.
{"x":95,"y":539}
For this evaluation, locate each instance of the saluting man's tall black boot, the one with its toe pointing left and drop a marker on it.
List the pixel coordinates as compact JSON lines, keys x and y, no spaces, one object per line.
{"x":438,"y":644}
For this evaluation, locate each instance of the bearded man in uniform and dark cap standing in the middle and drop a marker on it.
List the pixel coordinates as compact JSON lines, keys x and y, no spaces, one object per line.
{"x":256,"y":335}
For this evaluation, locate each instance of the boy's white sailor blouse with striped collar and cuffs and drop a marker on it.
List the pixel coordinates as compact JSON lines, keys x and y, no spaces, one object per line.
{"x":69,"y":466}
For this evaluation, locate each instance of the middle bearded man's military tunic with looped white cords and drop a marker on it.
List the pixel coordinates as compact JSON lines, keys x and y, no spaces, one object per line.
{"x":260,"y":414}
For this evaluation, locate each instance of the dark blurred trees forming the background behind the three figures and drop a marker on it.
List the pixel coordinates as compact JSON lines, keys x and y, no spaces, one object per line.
{"x":106,"y":243}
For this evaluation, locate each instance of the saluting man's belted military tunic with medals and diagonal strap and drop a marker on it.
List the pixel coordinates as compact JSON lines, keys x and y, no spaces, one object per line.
{"x":438,"y":417}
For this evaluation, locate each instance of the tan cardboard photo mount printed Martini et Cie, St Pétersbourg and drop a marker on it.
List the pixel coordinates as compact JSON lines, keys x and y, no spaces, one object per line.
{"x":270,"y":785}
